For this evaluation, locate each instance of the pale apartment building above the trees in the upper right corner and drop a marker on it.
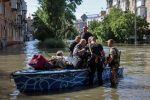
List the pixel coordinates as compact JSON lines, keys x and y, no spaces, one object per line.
{"x":142,"y":7}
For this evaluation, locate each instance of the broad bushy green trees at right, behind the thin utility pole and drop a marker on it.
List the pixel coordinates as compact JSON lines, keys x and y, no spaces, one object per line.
{"x":119,"y":26}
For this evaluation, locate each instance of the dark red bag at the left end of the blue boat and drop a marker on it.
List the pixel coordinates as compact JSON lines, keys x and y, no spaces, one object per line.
{"x":38,"y":62}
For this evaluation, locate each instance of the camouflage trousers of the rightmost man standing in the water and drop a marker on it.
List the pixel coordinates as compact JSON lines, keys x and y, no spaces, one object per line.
{"x":113,"y":74}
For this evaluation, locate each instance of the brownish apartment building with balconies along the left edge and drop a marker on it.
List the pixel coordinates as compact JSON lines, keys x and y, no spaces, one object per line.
{"x":12,"y":21}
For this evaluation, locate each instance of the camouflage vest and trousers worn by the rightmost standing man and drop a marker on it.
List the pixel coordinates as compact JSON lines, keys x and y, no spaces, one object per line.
{"x":114,"y":65}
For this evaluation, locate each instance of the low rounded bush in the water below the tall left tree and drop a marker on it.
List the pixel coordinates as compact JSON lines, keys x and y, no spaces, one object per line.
{"x":53,"y":43}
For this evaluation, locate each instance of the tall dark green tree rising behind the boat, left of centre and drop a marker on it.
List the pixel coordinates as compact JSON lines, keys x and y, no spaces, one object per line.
{"x":54,"y":17}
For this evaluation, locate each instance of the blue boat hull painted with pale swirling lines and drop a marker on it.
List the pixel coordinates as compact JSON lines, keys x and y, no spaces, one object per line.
{"x":31,"y":80}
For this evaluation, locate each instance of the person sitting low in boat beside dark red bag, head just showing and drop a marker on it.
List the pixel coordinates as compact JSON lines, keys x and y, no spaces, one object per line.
{"x":59,"y":61}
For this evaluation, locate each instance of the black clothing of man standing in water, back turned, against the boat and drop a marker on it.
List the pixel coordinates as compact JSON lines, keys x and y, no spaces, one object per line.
{"x":95,"y":63}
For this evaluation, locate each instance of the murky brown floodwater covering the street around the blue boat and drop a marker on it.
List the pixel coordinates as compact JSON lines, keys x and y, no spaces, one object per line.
{"x":135,"y":84}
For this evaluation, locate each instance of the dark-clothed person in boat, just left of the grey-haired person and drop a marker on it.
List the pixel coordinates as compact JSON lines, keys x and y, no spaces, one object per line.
{"x":73,"y":44}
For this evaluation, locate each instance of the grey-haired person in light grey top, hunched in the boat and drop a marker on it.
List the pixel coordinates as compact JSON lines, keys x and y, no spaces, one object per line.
{"x":80,"y":53}
